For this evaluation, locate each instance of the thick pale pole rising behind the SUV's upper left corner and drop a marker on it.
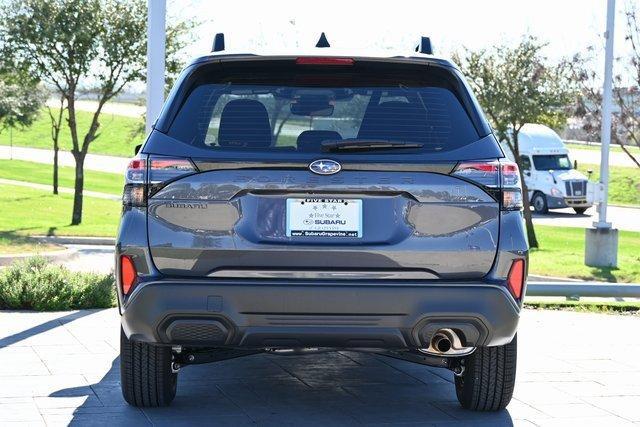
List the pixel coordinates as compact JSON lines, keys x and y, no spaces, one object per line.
{"x":156,"y":33}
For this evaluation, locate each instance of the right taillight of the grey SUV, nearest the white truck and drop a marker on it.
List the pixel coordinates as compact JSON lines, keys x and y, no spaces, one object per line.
{"x":500,"y":178}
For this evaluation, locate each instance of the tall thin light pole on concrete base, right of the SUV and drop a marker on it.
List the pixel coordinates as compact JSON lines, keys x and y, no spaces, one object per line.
{"x":601,"y":241}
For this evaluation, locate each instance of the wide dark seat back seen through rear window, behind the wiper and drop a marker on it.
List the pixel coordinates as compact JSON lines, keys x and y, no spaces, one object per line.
{"x":395,"y":120}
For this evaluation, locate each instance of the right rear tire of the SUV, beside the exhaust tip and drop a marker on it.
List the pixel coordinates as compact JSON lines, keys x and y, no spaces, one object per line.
{"x":488,"y":379}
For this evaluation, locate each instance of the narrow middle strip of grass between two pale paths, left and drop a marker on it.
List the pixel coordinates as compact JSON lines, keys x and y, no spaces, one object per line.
{"x":39,"y":173}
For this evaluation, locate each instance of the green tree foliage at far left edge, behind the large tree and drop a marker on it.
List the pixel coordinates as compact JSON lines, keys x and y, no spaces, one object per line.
{"x":20,"y":101}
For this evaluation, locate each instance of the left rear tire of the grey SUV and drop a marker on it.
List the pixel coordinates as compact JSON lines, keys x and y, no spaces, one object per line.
{"x":145,"y":373}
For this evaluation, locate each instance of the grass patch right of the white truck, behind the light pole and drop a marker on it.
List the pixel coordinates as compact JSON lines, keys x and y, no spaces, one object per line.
{"x":624,"y":183}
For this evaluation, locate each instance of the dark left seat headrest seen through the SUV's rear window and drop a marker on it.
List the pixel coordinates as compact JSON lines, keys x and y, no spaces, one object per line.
{"x":244,"y":123}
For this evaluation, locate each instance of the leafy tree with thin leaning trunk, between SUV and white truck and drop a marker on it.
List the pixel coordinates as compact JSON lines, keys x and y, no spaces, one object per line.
{"x":515,"y":86}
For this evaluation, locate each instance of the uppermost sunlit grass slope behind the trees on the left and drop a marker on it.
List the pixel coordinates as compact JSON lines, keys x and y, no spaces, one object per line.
{"x":115,"y":134}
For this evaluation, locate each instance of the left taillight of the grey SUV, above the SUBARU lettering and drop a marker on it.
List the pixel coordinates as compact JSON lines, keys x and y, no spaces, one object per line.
{"x":146,"y":175}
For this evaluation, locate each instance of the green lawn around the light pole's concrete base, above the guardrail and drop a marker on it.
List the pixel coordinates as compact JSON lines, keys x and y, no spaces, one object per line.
{"x":561,"y":254}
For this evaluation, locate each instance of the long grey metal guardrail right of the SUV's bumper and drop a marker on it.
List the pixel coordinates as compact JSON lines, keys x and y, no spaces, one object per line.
{"x":582,"y":289}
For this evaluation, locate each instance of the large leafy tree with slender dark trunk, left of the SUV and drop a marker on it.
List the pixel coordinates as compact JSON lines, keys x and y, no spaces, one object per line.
{"x":97,"y":45}
